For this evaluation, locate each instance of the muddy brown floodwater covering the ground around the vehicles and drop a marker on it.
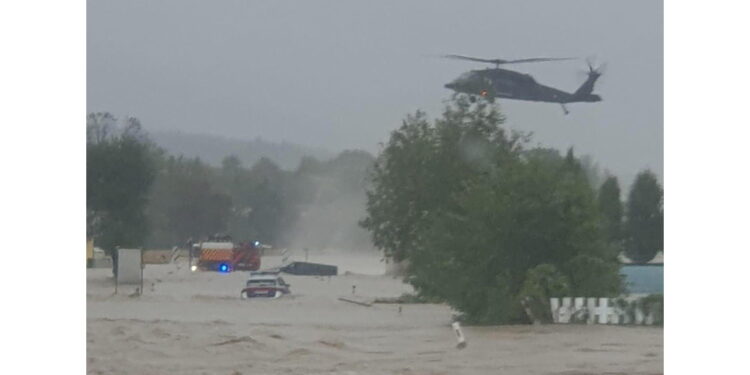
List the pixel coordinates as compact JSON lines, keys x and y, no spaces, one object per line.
{"x":196,"y":323}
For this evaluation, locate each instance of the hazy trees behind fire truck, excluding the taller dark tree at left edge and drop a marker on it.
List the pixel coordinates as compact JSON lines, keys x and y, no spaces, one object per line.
{"x":193,"y":200}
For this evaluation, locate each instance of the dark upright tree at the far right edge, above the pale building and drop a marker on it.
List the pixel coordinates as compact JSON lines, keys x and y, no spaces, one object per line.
{"x":645,"y":218}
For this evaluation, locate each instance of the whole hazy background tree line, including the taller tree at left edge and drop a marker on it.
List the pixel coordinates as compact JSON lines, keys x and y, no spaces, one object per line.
{"x":139,"y":196}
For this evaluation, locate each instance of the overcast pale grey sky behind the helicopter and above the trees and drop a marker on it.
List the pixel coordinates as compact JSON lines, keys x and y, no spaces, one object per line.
{"x":343,"y":74}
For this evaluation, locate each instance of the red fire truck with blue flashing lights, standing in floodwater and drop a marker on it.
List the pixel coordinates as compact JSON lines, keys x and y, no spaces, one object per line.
{"x":222,"y":255}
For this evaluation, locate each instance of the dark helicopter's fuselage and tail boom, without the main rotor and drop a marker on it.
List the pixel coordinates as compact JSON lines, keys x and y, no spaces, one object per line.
{"x":503,"y":83}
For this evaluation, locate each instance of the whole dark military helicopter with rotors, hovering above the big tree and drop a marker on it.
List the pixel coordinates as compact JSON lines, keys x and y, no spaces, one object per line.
{"x":495,"y":82}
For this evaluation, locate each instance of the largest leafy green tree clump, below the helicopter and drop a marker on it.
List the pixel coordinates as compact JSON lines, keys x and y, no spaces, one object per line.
{"x":473,"y":212}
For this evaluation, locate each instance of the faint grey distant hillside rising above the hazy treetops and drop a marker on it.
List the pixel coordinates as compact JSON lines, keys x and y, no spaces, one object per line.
{"x":213,"y":149}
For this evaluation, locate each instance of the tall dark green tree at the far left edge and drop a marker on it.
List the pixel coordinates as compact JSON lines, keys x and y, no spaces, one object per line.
{"x":119,"y":173}
